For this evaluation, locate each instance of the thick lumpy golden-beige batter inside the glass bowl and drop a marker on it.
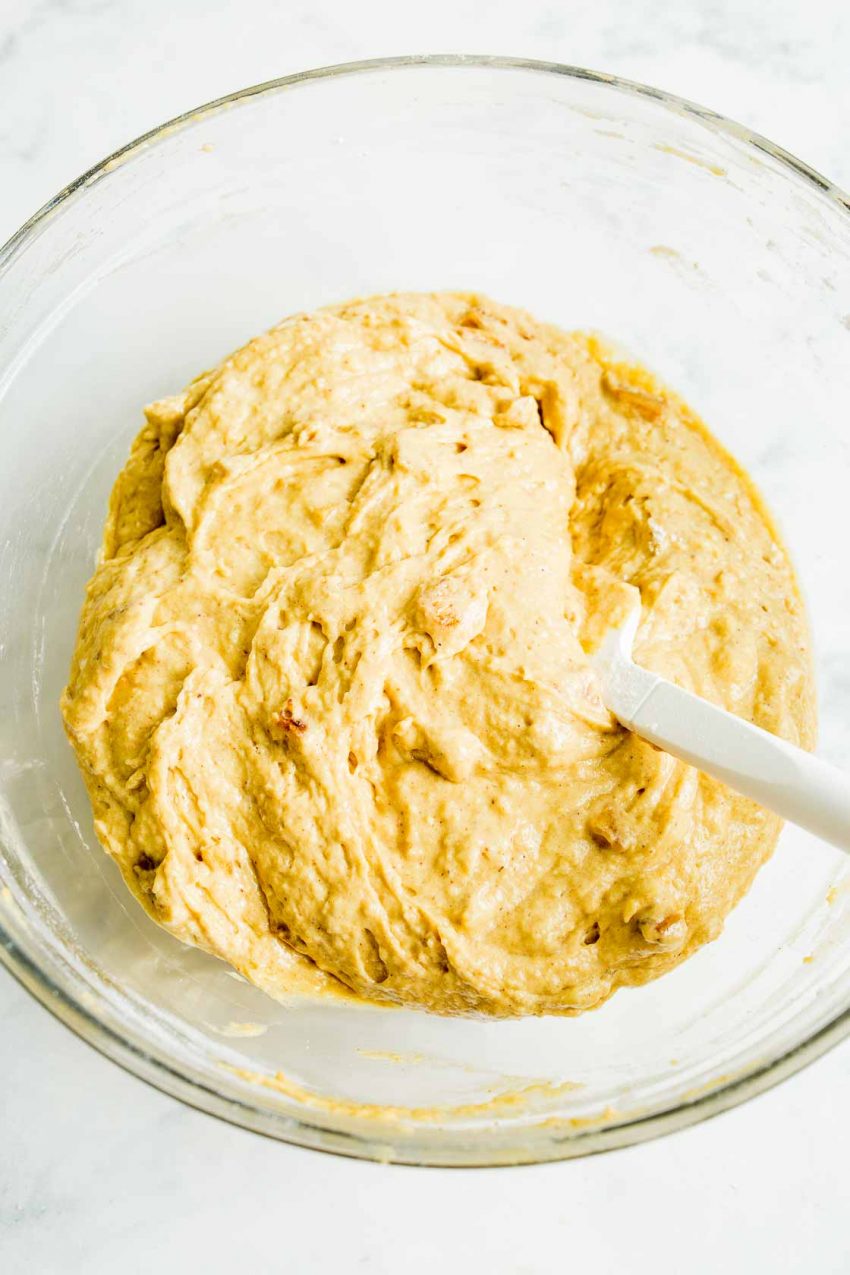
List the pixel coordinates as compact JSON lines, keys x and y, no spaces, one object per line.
{"x":332,"y":694}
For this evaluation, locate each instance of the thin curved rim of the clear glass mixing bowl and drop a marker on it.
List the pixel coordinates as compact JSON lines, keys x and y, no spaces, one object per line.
{"x":426,"y":1146}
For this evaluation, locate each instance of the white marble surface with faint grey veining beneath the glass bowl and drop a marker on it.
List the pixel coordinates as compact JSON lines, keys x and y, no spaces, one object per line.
{"x":99,"y":1172}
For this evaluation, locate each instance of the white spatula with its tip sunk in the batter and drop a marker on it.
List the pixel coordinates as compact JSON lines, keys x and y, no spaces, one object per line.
{"x":777,"y":775}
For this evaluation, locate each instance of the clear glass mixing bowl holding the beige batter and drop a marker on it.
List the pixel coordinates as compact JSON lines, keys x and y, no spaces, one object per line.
{"x":710,"y":256}
